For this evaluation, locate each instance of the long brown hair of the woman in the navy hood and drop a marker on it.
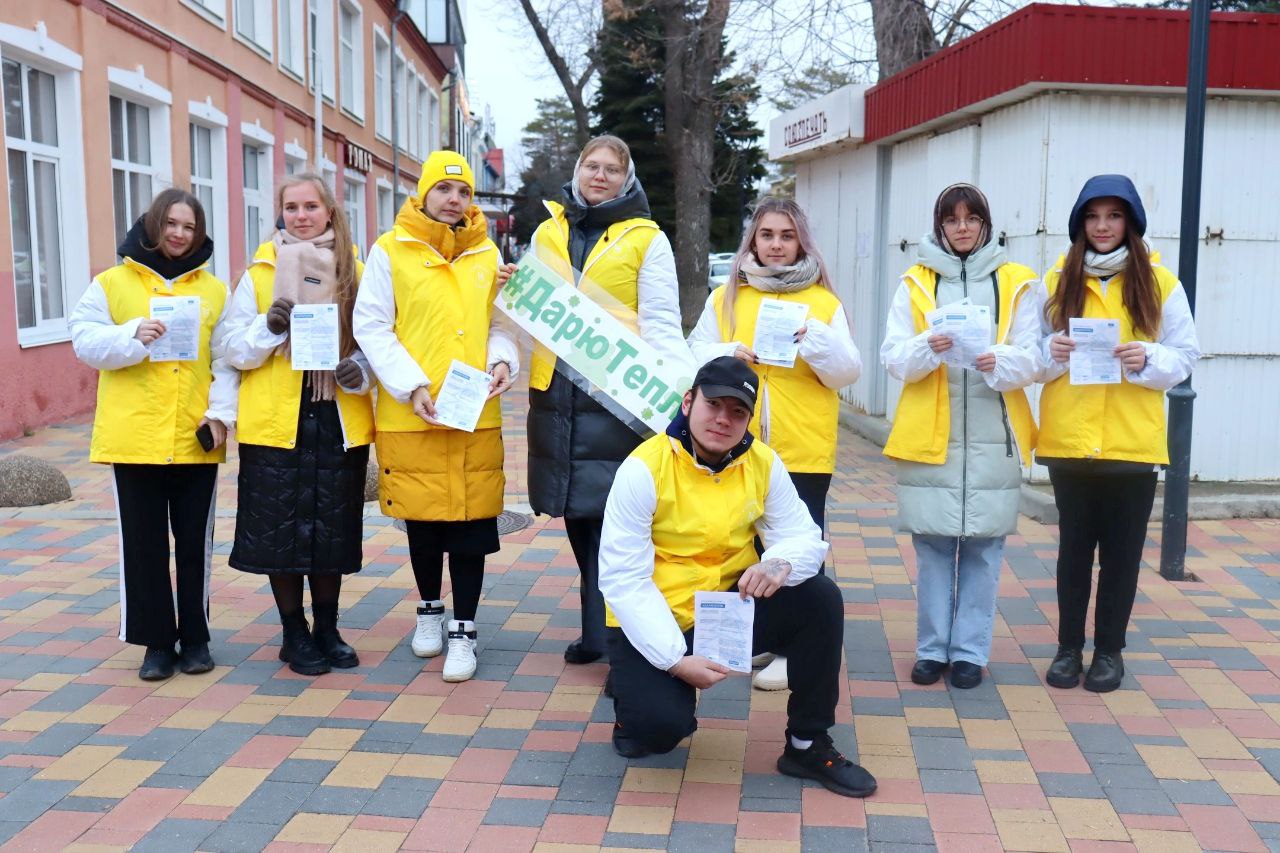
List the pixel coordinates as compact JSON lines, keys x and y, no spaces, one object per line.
{"x":1140,"y":290}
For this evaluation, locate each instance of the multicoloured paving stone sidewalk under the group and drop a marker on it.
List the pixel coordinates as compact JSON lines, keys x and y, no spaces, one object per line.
{"x":387,"y":756}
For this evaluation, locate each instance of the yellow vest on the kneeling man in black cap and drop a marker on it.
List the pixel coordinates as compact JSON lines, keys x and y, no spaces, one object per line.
{"x":705,"y":523}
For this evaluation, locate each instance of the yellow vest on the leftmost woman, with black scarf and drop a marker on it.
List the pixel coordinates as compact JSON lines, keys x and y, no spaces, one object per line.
{"x":148,"y":414}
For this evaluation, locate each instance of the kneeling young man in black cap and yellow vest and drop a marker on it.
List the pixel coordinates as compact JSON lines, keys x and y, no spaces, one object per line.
{"x":683,"y":518}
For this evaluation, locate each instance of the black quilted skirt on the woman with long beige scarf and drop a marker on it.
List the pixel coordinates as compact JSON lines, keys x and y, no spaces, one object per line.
{"x":301,"y":509}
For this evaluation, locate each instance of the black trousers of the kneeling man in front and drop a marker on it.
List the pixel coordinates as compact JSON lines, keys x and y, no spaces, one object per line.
{"x":804,"y":623}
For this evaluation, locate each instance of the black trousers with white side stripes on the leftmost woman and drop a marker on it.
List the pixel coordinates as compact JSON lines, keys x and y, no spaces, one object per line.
{"x":150,"y":501}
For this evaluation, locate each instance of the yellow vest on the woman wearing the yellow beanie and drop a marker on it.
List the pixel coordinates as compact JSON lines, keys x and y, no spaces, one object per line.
{"x":444,"y":312}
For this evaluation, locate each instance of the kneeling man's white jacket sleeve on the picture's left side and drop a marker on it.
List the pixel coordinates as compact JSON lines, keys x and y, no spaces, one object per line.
{"x":627,"y":568}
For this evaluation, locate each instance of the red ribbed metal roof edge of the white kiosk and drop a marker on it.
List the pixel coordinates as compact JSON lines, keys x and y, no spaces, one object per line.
{"x":1046,"y":44}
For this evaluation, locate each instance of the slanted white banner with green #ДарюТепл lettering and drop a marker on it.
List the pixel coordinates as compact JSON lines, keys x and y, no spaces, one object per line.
{"x":589,"y":339}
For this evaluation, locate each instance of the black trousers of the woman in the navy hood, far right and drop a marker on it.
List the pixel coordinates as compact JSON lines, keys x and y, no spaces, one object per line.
{"x":1108,"y":513}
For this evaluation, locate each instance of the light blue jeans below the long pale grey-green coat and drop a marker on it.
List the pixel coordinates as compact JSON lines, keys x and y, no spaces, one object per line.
{"x":956,"y":601}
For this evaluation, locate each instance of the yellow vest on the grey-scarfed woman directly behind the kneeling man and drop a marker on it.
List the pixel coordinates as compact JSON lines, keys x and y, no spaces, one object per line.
{"x":804,"y":414}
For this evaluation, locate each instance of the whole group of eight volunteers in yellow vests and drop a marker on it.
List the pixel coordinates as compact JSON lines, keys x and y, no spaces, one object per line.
{"x":732,"y":498}
